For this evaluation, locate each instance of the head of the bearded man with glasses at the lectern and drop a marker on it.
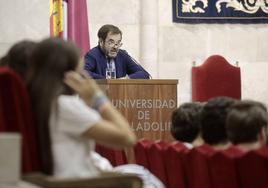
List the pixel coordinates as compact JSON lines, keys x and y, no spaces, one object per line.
{"x":110,"y":38}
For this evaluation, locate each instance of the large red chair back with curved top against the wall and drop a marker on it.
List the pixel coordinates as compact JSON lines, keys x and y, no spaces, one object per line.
{"x":215,"y":77}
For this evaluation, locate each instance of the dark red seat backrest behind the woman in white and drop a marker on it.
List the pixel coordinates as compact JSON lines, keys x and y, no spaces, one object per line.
{"x":16,"y":116}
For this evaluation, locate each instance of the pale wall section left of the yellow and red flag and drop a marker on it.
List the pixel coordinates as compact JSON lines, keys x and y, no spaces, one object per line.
{"x":22,"y":19}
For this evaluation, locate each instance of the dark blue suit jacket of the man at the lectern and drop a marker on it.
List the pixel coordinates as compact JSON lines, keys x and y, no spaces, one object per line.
{"x":96,"y":63}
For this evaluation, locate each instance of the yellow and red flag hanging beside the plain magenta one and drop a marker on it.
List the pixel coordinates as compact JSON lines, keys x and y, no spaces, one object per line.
{"x":56,"y":18}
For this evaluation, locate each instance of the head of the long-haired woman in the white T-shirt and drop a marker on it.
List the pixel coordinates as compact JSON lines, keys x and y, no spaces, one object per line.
{"x":51,"y":59}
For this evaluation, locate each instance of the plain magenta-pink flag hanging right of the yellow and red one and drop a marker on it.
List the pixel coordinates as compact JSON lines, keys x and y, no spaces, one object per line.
{"x":78,"y":24}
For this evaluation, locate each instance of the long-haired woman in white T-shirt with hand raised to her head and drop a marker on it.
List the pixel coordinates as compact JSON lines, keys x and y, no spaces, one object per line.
{"x":72,"y":124}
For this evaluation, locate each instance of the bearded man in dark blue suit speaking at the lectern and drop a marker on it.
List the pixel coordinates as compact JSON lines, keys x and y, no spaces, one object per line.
{"x":109,"y":54}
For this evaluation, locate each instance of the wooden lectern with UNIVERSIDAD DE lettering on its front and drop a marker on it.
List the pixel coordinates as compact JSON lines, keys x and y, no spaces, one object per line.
{"x":147,"y":104}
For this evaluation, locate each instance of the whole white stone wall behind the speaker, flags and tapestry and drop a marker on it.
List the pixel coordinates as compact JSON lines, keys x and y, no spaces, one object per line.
{"x":164,"y":48}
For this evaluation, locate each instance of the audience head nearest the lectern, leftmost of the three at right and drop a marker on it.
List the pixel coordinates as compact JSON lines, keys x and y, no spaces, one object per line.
{"x":185,"y":122}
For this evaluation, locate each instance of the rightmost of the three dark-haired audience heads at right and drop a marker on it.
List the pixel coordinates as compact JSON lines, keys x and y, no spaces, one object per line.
{"x":247,"y":122}
